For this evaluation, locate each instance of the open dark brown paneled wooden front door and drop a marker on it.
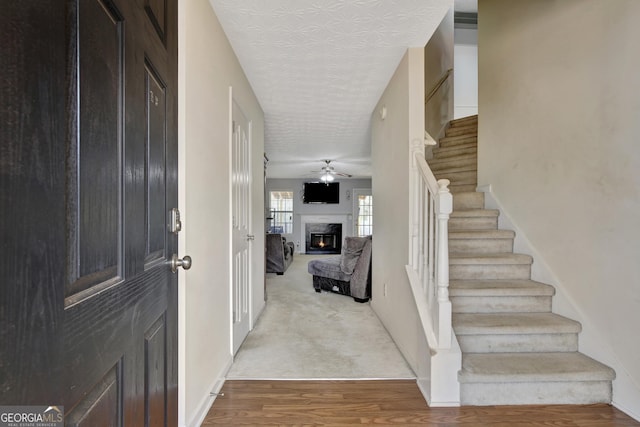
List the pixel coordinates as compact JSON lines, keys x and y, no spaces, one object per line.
{"x":88,"y":176}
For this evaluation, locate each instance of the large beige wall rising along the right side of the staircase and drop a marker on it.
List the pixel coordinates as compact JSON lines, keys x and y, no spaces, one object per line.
{"x":559,"y":125}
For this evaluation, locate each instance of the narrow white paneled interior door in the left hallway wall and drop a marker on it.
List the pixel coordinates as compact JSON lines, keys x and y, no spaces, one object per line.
{"x":241,"y":234}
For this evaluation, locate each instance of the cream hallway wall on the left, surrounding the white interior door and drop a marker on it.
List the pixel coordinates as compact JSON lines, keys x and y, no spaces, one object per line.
{"x":208,"y":67}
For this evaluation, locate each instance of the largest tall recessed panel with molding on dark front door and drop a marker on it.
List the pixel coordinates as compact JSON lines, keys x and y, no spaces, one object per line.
{"x":95,"y":149}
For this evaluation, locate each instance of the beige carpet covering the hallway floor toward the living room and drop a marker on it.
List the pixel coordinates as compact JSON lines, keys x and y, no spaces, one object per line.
{"x":305,"y":335}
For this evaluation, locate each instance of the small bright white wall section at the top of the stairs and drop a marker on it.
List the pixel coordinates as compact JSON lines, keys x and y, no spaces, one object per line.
{"x":465,"y":78}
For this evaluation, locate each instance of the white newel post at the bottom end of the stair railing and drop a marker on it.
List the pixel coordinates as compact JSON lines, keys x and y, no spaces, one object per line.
{"x":444,"y":207}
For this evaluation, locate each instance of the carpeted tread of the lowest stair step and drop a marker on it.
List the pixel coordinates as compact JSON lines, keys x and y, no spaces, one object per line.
{"x":530,"y":367}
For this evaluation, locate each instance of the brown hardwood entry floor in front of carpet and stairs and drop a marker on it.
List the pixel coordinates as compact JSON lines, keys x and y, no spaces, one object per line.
{"x":389,"y":402}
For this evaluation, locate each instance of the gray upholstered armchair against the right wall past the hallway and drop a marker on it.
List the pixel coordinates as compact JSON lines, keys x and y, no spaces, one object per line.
{"x":346,"y":274}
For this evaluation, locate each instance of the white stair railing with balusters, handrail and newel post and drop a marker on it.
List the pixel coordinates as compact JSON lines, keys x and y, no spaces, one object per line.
{"x":431,"y":206}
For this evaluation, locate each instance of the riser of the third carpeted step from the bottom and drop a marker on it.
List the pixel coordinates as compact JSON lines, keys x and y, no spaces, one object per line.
{"x":500,"y":304}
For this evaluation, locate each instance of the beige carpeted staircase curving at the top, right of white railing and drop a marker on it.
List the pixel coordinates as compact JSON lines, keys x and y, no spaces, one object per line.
{"x":514,"y":349}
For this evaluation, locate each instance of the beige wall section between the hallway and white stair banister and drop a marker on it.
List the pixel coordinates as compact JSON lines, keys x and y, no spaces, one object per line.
{"x":391,"y":139}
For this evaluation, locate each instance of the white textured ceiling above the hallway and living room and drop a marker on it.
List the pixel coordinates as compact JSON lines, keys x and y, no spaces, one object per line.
{"x":318,"y":68}
